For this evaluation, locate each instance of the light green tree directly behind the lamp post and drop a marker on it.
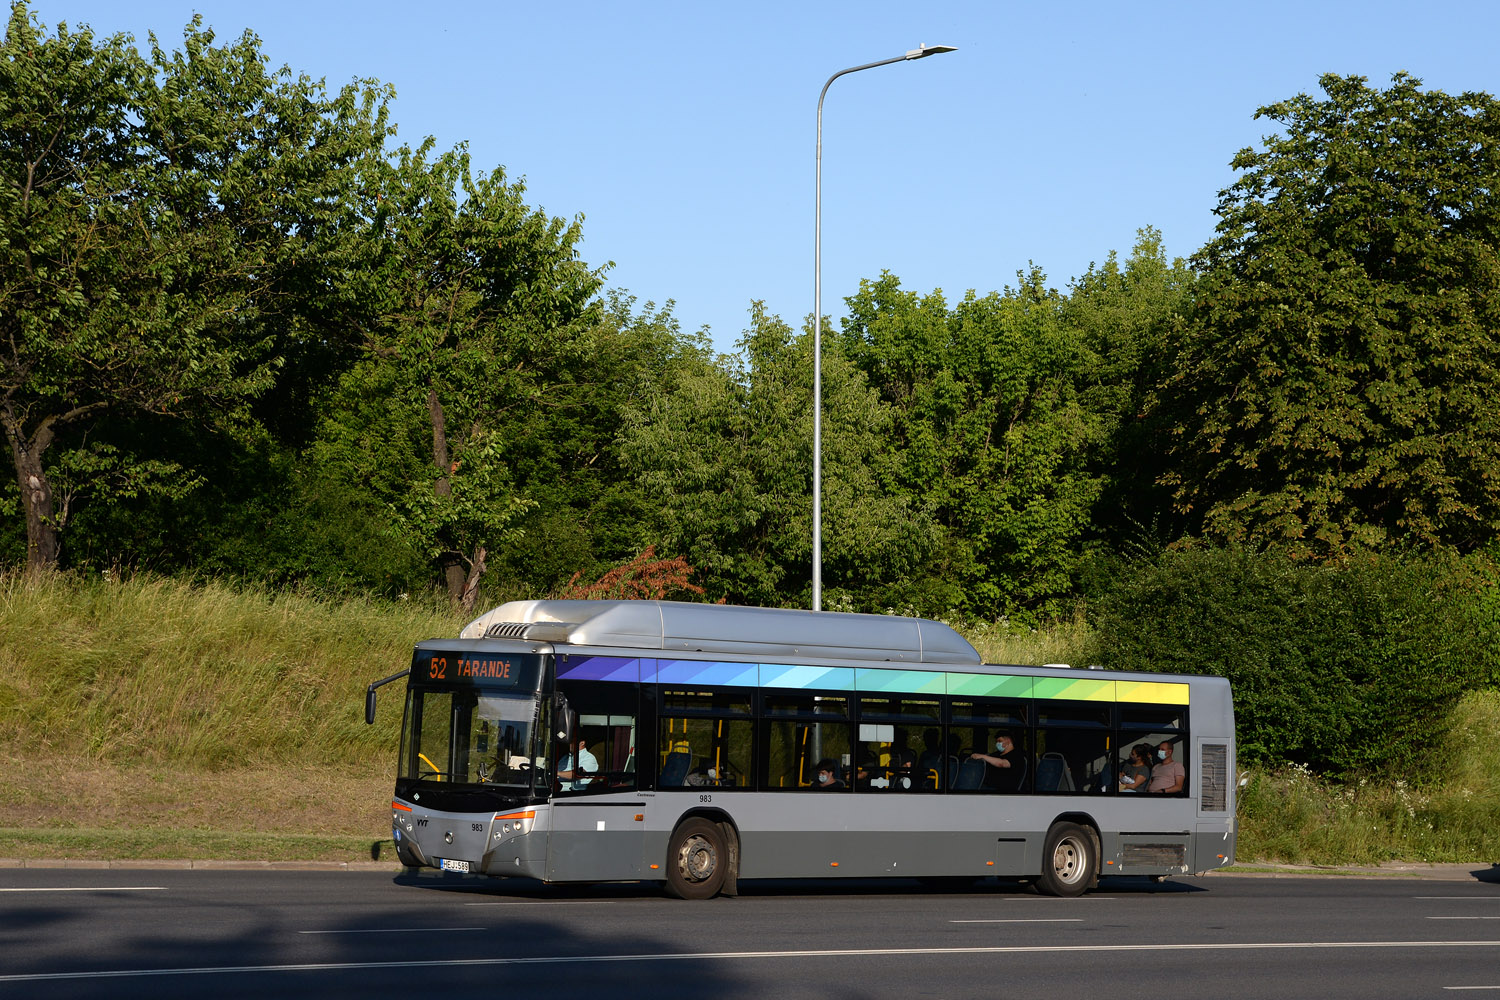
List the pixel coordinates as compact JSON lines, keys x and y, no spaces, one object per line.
{"x":725,"y":452}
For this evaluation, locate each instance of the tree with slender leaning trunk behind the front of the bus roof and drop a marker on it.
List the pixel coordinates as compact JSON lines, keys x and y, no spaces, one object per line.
{"x":469,"y":304}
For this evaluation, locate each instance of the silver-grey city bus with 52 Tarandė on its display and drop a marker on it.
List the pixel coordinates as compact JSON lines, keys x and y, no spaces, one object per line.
{"x":700,"y":744}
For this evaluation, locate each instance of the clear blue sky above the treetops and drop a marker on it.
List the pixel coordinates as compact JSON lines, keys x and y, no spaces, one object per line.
{"x":686,"y":133}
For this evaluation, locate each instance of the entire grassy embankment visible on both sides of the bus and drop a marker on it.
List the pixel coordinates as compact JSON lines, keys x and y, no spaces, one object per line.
{"x":151,"y":719}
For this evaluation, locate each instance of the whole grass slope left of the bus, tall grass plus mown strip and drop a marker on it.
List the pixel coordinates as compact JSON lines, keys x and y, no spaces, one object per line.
{"x":154,"y":719}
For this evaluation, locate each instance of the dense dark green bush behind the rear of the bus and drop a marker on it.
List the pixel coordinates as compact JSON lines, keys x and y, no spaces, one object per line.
{"x":1343,"y":669}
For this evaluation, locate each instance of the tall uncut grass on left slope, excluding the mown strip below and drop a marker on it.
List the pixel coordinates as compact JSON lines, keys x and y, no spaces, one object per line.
{"x":161,"y":672}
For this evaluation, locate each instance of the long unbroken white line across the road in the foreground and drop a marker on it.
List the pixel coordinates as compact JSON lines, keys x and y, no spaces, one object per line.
{"x":700,"y":957}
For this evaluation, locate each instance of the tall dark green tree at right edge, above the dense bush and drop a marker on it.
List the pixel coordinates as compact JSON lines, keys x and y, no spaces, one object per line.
{"x":1336,"y":389}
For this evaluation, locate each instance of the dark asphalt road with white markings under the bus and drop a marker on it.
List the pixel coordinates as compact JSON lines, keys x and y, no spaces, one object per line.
{"x":77,"y":933}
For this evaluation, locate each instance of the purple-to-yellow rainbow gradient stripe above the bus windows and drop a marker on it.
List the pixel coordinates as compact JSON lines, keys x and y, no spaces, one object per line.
{"x":869,"y":680}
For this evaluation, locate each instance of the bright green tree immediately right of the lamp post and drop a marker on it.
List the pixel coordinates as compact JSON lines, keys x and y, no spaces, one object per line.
{"x":991,"y":433}
